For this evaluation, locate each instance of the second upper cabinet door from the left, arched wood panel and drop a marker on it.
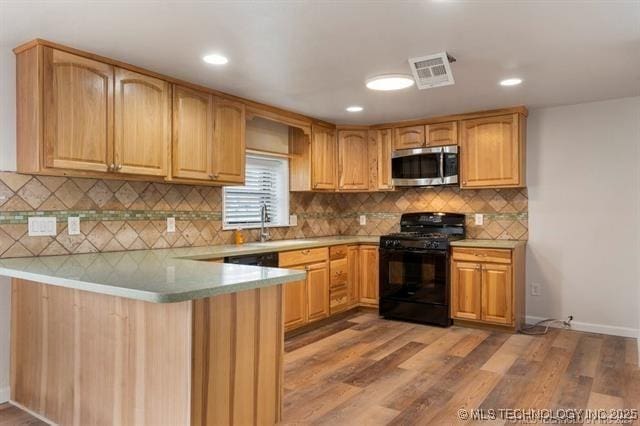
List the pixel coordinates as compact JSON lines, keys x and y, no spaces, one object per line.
{"x":142,"y":124}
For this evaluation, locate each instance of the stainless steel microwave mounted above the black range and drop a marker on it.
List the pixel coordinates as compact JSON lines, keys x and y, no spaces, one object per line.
{"x":425,"y":166}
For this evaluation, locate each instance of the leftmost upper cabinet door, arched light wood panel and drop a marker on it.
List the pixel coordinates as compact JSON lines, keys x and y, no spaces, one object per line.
{"x":78,"y":112}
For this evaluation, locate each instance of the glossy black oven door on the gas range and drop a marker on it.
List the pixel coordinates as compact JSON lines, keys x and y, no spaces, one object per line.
{"x":414,"y":276}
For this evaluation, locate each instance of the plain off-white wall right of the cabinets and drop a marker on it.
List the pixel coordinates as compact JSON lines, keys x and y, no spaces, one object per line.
{"x":584,"y":196}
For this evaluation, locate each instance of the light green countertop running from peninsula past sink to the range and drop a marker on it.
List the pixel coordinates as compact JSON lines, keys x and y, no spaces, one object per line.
{"x":166,"y":275}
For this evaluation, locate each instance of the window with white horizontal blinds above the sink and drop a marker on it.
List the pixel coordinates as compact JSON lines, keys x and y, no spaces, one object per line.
{"x":266,"y":182}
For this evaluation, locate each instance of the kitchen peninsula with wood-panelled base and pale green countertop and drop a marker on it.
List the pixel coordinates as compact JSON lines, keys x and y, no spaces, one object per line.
{"x":147,"y":337}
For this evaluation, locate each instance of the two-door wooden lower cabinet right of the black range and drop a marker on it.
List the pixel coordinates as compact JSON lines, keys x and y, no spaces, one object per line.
{"x":489,"y":291}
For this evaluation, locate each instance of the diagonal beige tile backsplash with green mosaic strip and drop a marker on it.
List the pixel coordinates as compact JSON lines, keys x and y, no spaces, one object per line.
{"x":120,"y":215}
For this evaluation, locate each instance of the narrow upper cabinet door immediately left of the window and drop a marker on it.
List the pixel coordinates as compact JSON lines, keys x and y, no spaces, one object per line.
{"x":229,"y":144}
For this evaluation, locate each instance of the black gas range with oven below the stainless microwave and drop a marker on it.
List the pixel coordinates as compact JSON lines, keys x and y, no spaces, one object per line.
{"x":414,"y":267}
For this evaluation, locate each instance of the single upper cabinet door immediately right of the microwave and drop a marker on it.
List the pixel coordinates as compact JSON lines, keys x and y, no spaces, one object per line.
{"x":490,"y":152}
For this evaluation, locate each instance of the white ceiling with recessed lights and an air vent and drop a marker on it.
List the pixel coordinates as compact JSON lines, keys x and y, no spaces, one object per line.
{"x":313,"y":57}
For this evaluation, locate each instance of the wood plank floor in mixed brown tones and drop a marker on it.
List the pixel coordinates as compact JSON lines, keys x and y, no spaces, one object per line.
{"x":369,"y":371}
